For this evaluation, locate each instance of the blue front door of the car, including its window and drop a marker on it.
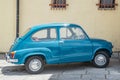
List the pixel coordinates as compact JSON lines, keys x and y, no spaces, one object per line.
{"x":74,"y":45}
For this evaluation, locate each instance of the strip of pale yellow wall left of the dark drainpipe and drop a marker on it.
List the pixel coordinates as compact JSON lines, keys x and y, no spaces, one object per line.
{"x":7,"y":24}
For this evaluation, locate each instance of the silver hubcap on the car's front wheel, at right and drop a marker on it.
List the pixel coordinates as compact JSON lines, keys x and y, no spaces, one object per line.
{"x":100,"y":60}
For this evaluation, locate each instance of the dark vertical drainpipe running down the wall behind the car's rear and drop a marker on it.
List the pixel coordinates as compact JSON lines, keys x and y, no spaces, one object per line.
{"x":17,"y":18}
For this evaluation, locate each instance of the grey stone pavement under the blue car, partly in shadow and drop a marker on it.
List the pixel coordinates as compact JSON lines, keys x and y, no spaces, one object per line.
{"x":74,"y":71}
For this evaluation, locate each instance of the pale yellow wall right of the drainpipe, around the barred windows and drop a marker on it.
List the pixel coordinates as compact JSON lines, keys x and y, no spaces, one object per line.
{"x":103,"y":24}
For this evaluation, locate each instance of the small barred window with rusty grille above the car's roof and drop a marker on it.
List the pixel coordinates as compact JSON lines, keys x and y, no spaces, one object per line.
{"x":58,"y":4}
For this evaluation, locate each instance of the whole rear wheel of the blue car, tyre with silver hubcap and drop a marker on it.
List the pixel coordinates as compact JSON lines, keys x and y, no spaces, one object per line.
{"x":34,"y":65}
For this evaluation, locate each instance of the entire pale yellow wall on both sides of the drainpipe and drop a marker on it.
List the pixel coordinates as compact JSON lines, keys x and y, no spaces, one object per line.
{"x":97,"y":23}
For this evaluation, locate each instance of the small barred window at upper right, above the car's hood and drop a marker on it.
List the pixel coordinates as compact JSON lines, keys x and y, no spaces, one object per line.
{"x":107,"y":4}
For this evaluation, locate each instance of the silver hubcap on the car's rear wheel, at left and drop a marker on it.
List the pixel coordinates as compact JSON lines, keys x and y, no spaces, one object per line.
{"x":35,"y":65}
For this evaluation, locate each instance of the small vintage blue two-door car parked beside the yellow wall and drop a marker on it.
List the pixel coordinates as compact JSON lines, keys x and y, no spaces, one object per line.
{"x":58,"y":43}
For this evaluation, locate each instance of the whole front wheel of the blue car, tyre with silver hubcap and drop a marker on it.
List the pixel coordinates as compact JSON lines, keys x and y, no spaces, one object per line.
{"x":101,"y":59}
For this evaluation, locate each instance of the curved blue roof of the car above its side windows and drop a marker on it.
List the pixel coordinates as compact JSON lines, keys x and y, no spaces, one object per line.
{"x":53,"y":25}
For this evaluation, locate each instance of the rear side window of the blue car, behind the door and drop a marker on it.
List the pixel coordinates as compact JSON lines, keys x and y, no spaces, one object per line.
{"x":45,"y":34}
